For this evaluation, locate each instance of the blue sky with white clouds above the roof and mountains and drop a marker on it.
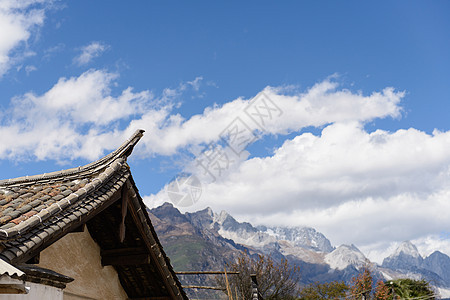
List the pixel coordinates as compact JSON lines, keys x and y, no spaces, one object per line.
{"x":77,"y":78}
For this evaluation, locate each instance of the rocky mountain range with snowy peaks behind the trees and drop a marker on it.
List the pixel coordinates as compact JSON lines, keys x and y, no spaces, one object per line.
{"x":205,"y":240}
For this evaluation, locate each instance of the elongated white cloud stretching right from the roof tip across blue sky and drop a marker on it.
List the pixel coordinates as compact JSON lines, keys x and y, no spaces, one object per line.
{"x":320,"y":105}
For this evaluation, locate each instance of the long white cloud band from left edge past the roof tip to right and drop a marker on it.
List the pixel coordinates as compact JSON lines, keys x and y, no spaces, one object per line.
{"x":85,"y":108}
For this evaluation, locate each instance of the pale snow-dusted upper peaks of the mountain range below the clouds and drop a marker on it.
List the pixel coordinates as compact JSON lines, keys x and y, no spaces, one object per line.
{"x":310,"y":246}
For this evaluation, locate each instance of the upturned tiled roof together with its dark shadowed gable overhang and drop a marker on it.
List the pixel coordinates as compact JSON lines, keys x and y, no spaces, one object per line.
{"x":36,"y":211}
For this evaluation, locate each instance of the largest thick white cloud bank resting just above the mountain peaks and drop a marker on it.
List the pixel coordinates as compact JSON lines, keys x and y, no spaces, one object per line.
{"x":352,"y":185}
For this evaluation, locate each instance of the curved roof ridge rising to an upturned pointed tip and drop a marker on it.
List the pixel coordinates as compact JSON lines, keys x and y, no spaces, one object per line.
{"x":123,"y":151}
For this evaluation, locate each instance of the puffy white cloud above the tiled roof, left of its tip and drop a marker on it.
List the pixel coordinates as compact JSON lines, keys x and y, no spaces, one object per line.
{"x":69,"y":120}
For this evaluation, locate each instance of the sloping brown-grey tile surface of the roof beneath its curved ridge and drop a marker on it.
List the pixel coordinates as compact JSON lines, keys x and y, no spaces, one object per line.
{"x":47,"y":210}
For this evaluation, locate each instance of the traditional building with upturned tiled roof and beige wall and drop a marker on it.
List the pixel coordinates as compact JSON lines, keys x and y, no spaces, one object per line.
{"x":82,"y":233}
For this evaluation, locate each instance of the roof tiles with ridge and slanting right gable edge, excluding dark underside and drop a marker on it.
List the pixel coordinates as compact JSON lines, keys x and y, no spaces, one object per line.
{"x":37,"y":210}
